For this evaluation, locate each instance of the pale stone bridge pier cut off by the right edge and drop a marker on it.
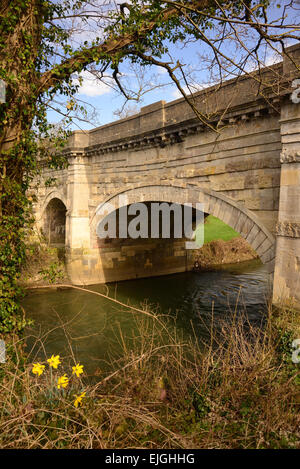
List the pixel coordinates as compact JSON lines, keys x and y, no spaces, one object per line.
{"x":287,"y":265}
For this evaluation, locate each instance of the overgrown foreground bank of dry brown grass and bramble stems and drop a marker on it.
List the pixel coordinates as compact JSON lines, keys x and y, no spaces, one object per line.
{"x":240,"y":390}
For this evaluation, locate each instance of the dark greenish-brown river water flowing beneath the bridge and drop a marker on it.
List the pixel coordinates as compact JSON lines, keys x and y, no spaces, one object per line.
{"x":93,"y":326}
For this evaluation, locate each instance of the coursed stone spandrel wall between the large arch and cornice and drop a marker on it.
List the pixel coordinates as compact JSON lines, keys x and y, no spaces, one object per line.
{"x":242,"y":163}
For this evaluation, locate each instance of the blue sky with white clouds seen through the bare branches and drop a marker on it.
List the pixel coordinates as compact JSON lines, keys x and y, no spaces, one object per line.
{"x":102,"y":101}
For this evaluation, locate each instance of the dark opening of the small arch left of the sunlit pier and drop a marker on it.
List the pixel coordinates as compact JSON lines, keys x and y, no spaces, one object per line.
{"x":55,"y":222}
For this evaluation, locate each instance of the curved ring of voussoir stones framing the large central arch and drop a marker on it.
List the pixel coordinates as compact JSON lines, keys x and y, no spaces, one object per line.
{"x":230,"y":212}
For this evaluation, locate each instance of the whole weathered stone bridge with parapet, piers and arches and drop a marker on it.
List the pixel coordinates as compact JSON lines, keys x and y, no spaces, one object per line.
{"x":248,"y":175}
